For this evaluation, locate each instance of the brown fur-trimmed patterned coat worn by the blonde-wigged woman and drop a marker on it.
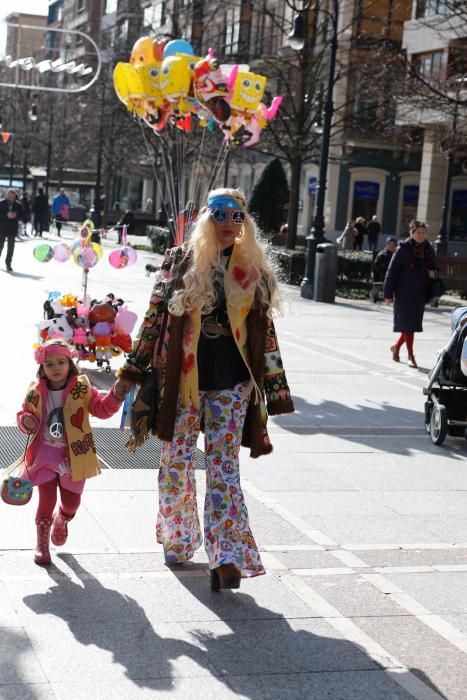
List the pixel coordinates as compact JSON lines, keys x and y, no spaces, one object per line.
{"x":158,"y":345}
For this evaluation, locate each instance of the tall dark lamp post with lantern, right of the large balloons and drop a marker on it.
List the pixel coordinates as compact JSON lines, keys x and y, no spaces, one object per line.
{"x":297,"y":40}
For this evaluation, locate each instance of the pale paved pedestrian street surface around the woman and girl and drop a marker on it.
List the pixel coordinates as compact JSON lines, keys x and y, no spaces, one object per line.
{"x":360,"y":519}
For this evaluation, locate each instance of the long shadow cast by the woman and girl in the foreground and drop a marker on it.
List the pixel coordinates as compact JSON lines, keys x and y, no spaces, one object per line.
{"x":262,"y":656}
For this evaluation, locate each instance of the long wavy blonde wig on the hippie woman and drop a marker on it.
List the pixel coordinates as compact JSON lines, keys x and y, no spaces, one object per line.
{"x":206,"y":263}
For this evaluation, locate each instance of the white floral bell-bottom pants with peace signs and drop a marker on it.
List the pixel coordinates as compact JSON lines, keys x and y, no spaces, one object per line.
{"x":228,"y":538}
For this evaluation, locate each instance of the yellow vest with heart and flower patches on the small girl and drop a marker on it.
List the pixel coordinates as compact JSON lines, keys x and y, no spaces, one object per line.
{"x":81,"y":449}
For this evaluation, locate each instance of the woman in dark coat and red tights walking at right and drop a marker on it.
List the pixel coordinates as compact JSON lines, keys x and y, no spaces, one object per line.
{"x":407,"y":282}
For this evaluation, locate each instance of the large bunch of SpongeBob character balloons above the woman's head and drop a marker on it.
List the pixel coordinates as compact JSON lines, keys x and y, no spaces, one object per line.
{"x":165,"y":83}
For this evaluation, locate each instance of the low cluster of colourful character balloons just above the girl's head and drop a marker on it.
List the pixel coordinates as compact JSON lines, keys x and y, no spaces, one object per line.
{"x":99,"y":330}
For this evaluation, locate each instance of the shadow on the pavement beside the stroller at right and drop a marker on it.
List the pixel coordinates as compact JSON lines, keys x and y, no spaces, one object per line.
{"x":365,"y":424}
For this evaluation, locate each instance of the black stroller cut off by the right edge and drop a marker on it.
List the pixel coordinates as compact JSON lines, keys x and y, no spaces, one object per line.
{"x":446,"y":403}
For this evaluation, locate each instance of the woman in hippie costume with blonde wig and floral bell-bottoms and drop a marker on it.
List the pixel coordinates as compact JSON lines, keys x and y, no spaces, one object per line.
{"x":208,"y":359}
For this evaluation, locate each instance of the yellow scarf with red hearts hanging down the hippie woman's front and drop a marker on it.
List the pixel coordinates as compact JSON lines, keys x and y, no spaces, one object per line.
{"x":240,"y":283}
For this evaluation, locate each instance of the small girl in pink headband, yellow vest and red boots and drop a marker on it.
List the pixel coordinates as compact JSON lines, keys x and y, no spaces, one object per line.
{"x":61,"y":452}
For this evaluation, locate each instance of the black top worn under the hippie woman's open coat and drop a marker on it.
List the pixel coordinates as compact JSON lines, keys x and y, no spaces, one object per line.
{"x":220,"y":364}
